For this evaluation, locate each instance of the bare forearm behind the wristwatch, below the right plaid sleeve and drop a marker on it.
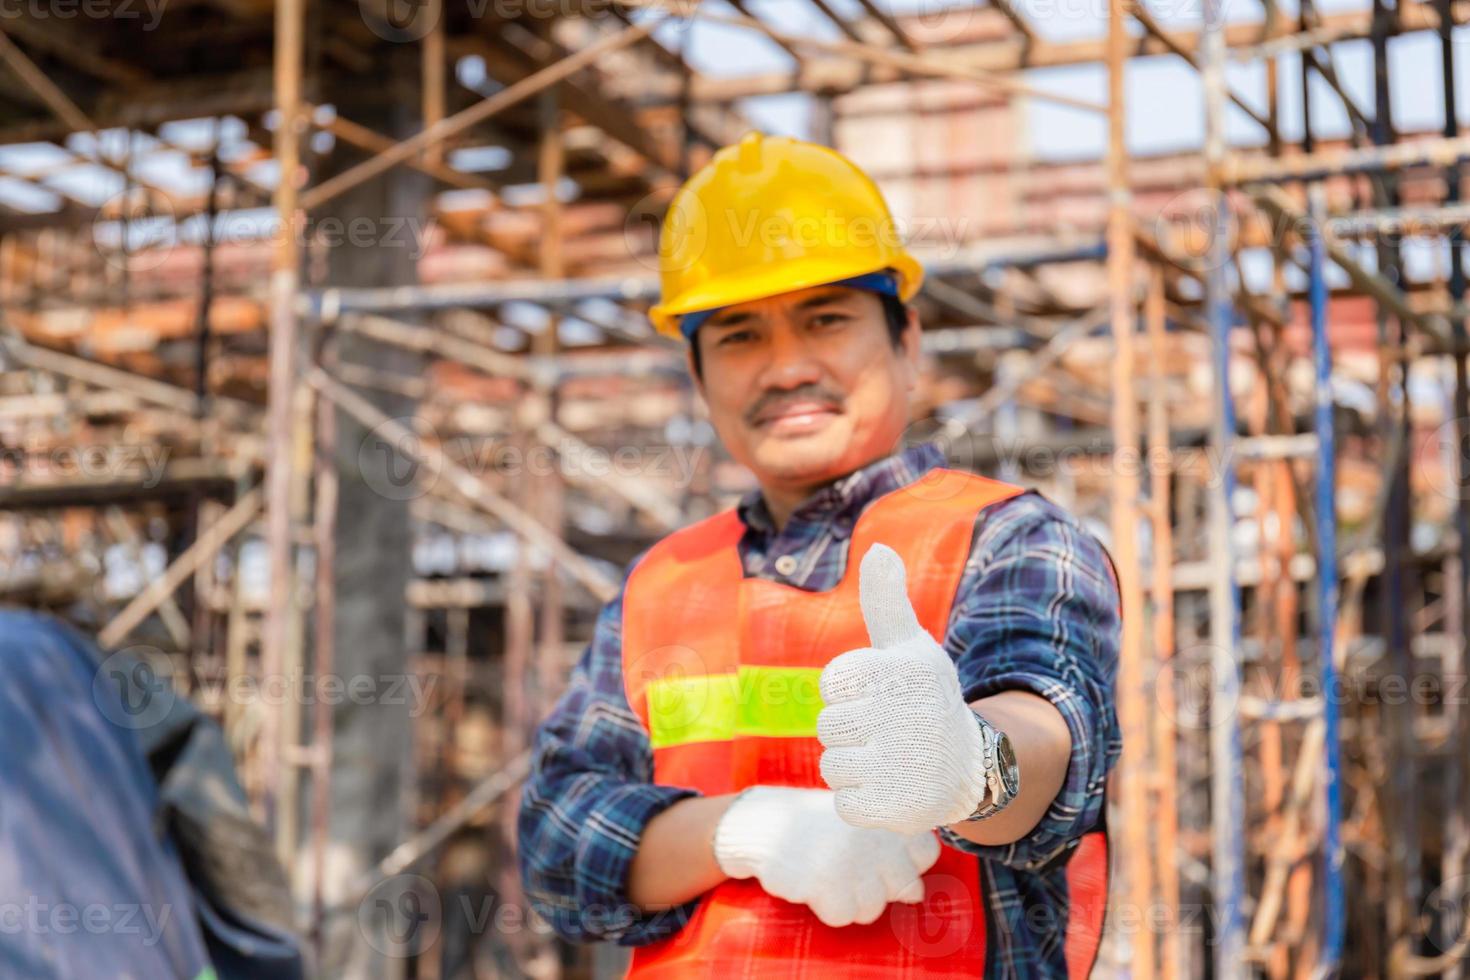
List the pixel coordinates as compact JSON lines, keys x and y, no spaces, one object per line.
{"x":1043,"y":747}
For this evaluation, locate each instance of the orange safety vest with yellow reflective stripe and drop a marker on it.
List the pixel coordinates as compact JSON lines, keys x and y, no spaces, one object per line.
{"x":723,"y":671}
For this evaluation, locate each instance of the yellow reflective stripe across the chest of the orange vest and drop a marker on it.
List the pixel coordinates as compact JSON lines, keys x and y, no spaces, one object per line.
{"x":765,"y":702}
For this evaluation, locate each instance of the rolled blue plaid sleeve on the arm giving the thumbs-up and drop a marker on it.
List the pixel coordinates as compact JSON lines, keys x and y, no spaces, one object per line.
{"x":1037,"y":612}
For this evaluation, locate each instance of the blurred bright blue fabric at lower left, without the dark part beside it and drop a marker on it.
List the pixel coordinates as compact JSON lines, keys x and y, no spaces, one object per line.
{"x":89,"y":887}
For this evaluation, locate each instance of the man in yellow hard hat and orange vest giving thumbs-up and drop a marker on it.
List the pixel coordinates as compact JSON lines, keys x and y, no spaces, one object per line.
{"x":859,"y":725}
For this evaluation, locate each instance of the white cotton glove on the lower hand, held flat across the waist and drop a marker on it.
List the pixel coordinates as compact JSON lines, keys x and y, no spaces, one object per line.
{"x":796,"y":846}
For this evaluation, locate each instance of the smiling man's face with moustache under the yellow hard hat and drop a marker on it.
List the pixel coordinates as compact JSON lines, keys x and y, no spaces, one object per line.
{"x":808,"y":387}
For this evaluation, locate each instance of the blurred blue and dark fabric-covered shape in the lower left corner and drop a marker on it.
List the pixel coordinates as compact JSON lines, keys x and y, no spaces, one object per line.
{"x":127,"y":849}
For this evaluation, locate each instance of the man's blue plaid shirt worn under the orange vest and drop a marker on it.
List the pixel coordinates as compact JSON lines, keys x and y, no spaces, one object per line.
{"x":1036,"y":610}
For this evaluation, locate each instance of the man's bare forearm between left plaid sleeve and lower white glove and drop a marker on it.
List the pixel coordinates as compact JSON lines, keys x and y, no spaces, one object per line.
{"x":675,"y":860}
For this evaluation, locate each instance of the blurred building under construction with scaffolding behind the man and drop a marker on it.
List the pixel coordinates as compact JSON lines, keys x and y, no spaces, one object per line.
{"x":326,"y":355}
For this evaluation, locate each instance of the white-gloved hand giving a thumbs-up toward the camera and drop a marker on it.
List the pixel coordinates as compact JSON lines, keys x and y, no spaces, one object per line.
{"x":902,"y":747}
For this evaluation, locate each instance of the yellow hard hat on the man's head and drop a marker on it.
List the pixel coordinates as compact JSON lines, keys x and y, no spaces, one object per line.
{"x":768,"y":217}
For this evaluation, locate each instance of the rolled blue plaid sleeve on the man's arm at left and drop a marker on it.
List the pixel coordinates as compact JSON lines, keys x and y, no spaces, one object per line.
{"x":587,"y":801}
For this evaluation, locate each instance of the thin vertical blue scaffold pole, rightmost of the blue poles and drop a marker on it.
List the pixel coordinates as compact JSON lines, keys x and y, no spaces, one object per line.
{"x":1327,"y":588}
